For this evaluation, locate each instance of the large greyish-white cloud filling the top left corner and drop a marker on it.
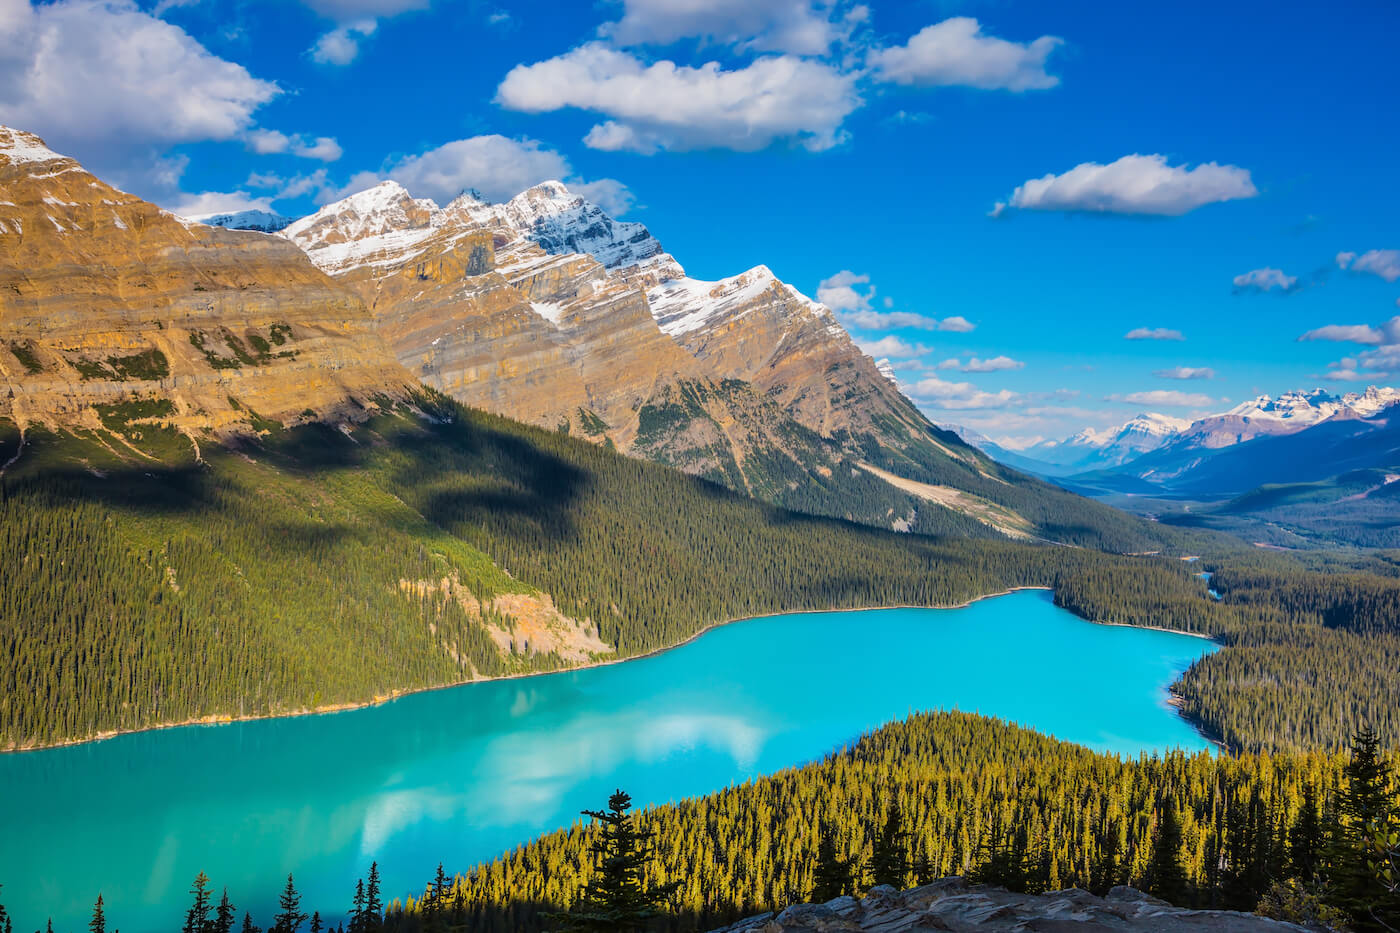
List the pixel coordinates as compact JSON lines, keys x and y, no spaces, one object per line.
{"x":106,"y":82}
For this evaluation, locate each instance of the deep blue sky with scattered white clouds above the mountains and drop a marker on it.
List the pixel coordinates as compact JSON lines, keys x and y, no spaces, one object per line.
{"x":1146,"y":159}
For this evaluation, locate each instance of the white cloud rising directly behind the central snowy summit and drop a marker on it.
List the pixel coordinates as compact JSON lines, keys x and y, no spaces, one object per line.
{"x":496,"y":166}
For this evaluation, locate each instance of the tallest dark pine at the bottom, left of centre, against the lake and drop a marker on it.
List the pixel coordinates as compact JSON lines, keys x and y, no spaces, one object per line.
{"x":618,"y":899}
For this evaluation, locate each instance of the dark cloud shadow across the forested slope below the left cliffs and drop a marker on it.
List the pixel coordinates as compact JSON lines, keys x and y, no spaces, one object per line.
{"x":457,"y":473}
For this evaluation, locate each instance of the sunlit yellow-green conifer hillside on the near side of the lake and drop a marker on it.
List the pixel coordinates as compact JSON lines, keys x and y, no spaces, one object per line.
{"x":1007,"y":806}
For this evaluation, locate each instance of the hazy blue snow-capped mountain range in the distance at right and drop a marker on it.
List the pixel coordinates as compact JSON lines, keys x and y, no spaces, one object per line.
{"x":1300,"y":469}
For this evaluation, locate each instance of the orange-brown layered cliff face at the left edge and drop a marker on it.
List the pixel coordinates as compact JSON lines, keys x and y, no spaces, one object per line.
{"x":108,"y":300}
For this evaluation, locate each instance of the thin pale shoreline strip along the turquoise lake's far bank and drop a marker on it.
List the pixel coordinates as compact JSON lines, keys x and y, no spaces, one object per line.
{"x":398,"y":694}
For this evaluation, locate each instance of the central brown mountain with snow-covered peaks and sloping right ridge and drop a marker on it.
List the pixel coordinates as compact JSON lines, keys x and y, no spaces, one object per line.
{"x":547,"y":310}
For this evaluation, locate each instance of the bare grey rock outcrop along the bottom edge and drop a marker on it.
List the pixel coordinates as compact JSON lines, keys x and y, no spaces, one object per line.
{"x":953,"y":904}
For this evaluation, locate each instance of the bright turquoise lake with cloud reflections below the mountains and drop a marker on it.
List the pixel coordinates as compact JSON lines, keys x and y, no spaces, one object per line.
{"x":465,"y":774}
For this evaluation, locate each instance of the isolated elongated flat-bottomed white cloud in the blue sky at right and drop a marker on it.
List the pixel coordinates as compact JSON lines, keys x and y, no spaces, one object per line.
{"x":1135,"y":186}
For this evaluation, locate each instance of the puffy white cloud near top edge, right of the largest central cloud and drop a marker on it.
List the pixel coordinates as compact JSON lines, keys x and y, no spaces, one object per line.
{"x":957,"y":53}
